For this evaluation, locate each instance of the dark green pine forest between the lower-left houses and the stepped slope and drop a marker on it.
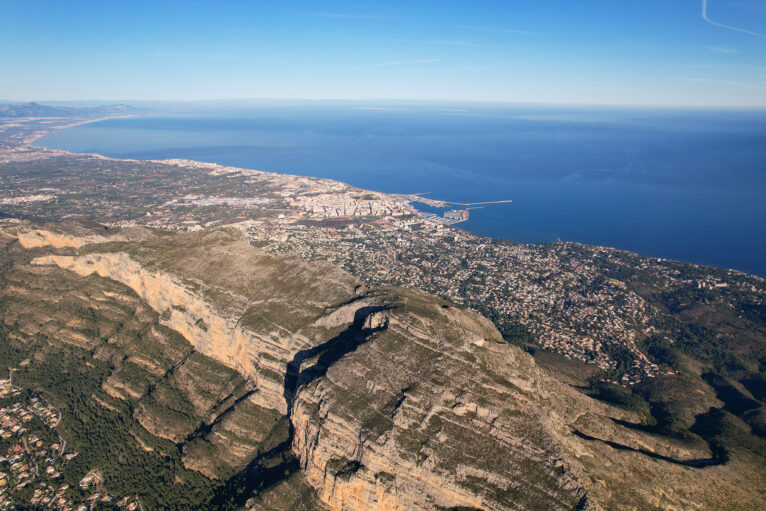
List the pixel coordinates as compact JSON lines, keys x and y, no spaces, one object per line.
{"x":104,"y":437}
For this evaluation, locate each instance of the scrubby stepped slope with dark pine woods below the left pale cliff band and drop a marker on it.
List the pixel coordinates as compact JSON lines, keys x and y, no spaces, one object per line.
{"x":121,"y":347}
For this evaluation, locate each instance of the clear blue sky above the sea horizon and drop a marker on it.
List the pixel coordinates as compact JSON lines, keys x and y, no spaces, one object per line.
{"x":645,"y":52}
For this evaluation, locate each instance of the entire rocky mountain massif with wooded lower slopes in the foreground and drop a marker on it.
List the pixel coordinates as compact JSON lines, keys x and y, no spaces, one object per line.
{"x":197,"y":371}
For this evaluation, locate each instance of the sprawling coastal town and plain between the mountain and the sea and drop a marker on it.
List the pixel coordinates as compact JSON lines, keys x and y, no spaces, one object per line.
{"x":579,"y":301}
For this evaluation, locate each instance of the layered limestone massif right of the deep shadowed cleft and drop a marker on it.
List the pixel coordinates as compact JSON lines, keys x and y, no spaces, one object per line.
{"x":432,"y":411}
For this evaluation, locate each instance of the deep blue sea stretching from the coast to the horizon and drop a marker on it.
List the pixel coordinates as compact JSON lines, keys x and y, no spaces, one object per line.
{"x":676,"y":184}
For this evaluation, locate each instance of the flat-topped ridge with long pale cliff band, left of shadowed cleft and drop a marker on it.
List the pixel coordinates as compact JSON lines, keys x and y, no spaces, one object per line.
{"x":216,"y":307}
